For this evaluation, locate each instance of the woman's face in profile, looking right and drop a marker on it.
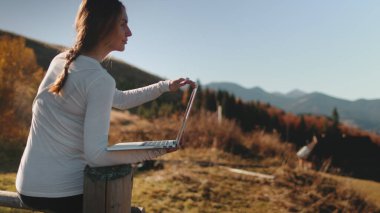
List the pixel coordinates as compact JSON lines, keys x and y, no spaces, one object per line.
{"x":119,"y":36}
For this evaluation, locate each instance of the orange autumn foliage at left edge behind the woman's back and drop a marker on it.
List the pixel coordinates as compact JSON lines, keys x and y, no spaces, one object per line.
{"x":19,"y":77}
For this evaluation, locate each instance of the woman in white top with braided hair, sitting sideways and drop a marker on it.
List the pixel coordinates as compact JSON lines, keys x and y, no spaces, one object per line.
{"x":71,"y":112}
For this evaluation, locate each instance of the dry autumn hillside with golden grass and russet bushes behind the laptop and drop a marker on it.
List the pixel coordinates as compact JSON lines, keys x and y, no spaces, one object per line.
{"x":197,"y":179}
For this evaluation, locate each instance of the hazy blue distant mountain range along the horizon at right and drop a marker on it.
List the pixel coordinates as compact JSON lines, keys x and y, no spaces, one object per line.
{"x":361,"y":113}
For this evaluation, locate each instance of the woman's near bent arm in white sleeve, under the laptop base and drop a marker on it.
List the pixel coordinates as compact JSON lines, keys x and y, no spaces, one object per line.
{"x":96,"y":127}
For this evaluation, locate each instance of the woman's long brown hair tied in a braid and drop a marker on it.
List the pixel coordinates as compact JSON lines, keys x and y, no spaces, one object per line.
{"x":94,"y":21}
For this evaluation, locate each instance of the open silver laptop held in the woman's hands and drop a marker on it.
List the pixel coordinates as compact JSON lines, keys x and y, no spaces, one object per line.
{"x":161,"y":144}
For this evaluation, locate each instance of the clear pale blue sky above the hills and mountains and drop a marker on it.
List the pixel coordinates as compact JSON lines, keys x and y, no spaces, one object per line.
{"x":324,"y":46}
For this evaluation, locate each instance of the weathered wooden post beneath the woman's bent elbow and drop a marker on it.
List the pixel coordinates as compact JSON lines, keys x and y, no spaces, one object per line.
{"x":108,"y":189}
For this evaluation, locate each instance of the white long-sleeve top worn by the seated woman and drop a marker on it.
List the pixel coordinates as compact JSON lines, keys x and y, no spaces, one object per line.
{"x":70,"y":131}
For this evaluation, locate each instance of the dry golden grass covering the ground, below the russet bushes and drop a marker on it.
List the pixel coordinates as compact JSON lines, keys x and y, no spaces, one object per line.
{"x":192,"y":180}
